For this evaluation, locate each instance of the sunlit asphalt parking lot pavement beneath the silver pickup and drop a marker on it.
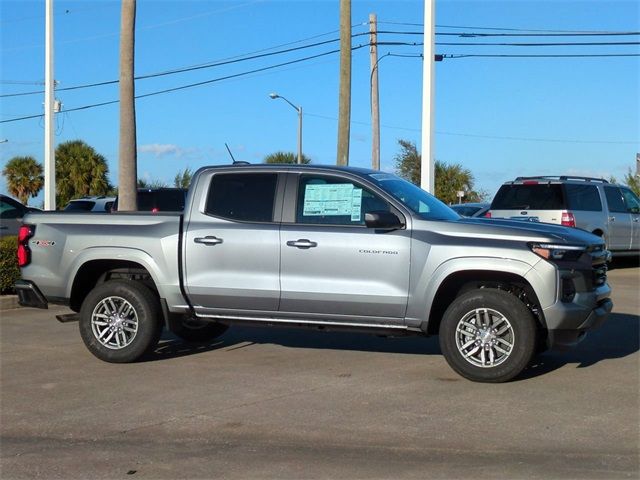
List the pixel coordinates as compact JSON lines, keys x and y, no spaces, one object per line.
{"x":264,"y":403}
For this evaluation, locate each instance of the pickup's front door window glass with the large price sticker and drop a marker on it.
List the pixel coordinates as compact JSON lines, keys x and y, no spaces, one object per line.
{"x":334,"y":201}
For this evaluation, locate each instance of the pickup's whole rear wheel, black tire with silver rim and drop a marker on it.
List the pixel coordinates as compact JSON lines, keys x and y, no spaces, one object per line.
{"x":111,"y":312}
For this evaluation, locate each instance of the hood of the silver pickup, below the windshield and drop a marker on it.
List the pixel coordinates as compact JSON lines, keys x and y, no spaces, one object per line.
{"x":513,"y":230}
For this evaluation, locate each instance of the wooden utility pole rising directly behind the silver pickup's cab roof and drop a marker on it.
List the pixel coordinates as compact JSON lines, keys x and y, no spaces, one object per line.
{"x":344,"y":110}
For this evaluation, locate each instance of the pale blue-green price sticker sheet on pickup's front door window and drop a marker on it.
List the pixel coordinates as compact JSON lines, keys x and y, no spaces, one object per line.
{"x":336,"y":199}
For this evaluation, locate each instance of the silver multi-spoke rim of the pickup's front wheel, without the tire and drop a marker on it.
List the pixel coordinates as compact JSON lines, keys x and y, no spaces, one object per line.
{"x":485,"y":338}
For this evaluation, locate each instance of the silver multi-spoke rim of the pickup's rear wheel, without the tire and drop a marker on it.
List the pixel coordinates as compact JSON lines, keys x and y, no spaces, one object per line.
{"x":114,"y":323}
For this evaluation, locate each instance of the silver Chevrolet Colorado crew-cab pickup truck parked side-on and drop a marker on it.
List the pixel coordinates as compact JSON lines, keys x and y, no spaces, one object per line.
{"x":322,"y":247}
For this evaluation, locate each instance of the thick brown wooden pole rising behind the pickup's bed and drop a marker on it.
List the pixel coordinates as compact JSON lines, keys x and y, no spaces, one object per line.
{"x":128,"y":171}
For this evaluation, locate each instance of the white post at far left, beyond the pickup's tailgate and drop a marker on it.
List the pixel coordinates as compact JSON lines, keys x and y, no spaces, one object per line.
{"x":49,"y":97}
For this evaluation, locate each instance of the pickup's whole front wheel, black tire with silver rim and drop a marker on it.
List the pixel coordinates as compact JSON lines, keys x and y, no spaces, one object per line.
{"x":479,"y":350}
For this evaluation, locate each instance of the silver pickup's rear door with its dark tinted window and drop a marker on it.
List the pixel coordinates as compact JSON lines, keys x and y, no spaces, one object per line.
{"x":232,"y":243}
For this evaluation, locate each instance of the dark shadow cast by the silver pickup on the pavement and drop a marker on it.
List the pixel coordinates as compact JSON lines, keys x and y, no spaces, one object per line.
{"x":617,"y":338}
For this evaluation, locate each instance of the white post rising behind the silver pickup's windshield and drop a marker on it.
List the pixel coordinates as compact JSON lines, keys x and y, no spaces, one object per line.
{"x":428,"y":98}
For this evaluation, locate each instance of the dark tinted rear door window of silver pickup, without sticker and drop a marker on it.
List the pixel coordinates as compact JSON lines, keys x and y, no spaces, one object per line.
{"x":248,"y":197}
